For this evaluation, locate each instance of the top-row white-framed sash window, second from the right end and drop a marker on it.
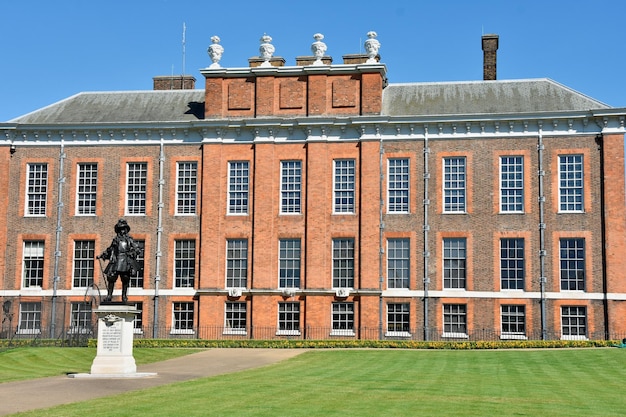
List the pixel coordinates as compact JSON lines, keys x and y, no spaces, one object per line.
{"x":512,"y":184}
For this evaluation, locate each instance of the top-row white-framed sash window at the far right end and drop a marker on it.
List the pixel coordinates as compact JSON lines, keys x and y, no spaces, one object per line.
{"x":571,"y":183}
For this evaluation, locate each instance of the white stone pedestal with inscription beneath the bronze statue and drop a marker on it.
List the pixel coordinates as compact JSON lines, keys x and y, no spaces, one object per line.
{"x":115,"y":340}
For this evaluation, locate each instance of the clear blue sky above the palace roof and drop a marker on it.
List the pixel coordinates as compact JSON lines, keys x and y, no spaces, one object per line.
{"x":52,"y":49}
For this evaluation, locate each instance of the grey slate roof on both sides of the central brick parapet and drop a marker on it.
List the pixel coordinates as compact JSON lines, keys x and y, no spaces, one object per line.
{"x":415,"y":99}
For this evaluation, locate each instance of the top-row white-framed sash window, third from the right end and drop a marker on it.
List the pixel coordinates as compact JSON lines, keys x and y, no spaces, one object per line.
{"x":454,"y":185}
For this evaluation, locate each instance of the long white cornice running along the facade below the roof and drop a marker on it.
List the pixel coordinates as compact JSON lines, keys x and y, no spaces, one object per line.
{"x":321,"y":129}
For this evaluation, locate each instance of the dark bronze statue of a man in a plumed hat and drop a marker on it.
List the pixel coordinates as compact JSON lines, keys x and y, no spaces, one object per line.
{"x":122,"y":255}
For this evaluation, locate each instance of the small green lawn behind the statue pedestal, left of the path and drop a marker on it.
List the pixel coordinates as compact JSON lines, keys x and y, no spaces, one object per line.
{"x":27,"y":363}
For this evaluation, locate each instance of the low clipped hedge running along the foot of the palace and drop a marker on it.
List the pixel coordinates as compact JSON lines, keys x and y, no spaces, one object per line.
{"x":330,"y":344}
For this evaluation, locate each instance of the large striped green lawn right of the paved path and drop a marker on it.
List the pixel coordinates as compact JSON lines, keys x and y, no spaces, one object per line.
{"x":576,"y":382}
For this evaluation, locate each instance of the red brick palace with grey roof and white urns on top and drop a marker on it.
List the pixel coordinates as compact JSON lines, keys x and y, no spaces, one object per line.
{"x":321,"y":201}
